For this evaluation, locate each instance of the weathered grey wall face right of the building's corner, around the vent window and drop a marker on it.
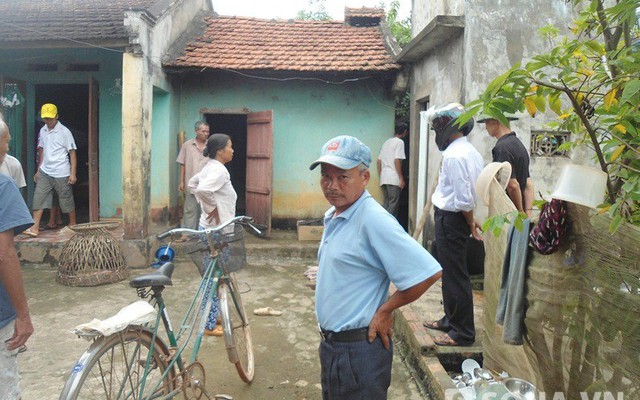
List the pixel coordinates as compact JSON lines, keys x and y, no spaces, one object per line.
{"x":497,"y":40}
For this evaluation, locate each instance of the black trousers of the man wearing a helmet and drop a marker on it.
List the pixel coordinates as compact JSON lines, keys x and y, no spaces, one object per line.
{"x":452,"y":232}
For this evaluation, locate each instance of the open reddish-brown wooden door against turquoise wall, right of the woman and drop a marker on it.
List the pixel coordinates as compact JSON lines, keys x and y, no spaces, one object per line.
{"x":260,"y":168}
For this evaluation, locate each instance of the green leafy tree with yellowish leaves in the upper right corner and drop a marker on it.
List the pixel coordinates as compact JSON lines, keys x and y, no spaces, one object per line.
{"x":591,"y":82}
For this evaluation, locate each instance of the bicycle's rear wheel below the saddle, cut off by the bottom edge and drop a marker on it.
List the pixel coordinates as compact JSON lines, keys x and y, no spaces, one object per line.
{"x":114,"y":368}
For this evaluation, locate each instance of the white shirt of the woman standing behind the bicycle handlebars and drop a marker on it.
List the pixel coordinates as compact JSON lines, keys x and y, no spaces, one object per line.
{"x":213,"y":189}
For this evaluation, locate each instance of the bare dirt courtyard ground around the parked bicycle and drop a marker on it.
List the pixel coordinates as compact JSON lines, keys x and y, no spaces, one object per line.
{"x":285,"y":347}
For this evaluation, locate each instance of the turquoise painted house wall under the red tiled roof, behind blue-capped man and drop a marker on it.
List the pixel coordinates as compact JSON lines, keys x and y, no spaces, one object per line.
{"x":306,"y":115}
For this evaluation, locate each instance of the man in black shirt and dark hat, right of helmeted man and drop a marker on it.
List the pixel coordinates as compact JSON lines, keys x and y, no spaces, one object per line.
{"x":509,"y":148}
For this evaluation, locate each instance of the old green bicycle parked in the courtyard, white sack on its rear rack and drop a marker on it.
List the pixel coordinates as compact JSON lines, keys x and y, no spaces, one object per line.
{"x":167,"y":361}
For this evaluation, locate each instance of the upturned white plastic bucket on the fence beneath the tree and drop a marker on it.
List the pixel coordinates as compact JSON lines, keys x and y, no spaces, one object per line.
{"x":581,"y":185}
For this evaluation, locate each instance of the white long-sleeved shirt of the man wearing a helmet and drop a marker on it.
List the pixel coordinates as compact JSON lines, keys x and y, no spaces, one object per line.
{"x":461,"y":166}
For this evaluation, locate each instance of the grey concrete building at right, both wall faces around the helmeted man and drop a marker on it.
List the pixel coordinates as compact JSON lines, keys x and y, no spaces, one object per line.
{"x":495,"y":38}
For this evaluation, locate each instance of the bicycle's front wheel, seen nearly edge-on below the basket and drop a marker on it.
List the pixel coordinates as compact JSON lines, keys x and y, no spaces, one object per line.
{"x":235,"y":325}
